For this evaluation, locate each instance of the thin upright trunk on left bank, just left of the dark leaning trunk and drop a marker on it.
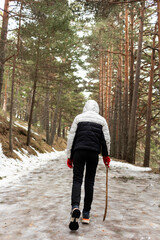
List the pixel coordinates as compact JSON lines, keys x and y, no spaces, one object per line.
{"x":12,"y":106}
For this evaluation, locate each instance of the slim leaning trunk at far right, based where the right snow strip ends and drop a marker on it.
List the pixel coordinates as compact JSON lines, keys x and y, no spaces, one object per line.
{"x":149,"y":103}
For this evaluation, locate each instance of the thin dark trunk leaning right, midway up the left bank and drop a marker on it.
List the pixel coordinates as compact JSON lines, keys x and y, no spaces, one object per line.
{"x":33,"y":97}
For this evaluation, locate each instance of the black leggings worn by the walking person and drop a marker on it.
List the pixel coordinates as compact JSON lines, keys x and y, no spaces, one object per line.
{"x":80,"y":158}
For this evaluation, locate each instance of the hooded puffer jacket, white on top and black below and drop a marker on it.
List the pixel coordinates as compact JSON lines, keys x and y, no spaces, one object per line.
{"x":89,"y":131}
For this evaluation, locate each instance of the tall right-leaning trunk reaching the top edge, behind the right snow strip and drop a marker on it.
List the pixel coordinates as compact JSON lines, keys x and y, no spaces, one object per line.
{"x":130,"y":149}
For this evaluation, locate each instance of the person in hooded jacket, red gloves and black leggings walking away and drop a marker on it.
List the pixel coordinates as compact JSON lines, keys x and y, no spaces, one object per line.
{"x":89,"y":136}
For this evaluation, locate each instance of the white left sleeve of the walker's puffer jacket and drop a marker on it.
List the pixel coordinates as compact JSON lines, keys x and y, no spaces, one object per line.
{"x":71,"y":137}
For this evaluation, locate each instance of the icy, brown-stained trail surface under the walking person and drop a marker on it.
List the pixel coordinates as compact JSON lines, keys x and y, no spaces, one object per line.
{"x":37,"y":206}
